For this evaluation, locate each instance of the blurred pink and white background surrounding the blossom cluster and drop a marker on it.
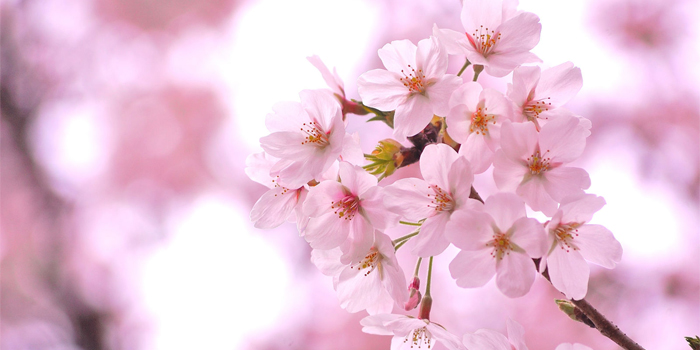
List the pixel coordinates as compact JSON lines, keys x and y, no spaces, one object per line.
{"x":125,"y":209}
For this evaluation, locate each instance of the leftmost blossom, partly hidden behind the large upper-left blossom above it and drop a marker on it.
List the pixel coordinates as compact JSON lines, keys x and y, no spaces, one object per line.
{"x":276,"y":205}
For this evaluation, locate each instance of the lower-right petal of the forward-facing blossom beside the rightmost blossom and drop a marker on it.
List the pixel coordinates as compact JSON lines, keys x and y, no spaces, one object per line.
{"x":515,"y":274}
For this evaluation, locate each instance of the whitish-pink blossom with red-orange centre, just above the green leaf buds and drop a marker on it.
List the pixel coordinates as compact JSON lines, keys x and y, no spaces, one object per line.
{"x":414,"y":84}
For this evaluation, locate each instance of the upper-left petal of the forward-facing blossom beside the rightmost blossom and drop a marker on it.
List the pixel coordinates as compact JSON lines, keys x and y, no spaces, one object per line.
{"x":469,"y":229}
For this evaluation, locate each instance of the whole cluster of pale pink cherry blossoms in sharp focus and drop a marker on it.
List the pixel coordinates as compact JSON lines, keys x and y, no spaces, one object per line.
{"x":320,"y":179}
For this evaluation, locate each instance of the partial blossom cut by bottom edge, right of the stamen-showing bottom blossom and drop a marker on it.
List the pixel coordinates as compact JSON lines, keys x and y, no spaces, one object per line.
{"x":486,"y":339}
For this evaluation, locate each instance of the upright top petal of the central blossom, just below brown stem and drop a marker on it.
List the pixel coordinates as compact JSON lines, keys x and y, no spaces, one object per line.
{"x":435,"y":163}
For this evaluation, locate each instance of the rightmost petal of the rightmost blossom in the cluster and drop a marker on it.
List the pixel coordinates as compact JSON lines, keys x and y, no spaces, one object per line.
{"x":598,"y":245}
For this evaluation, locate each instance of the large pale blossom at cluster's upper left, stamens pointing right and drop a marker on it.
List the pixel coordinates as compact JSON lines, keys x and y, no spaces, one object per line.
{"x":307,"y":137}
